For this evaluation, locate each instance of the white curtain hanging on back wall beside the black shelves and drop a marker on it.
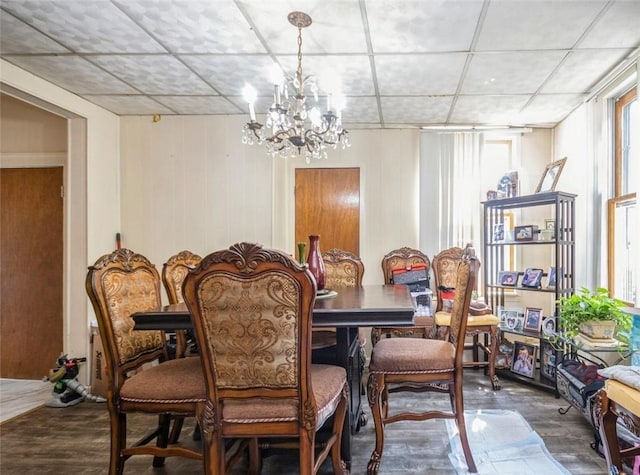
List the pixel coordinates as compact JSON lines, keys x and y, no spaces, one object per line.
{"x":451,"y":191}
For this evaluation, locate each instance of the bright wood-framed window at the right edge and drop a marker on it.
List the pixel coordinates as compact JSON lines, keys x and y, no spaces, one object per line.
{"x":622,"y":207}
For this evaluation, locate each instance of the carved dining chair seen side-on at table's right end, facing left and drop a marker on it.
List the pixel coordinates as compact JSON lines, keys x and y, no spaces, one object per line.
{"x":419,"y":364}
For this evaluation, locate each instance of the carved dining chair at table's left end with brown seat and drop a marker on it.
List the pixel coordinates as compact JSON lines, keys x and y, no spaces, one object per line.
{"x":118,"y":285}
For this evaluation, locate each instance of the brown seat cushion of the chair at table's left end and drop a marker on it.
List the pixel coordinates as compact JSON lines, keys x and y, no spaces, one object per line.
{"x":172,"y":382}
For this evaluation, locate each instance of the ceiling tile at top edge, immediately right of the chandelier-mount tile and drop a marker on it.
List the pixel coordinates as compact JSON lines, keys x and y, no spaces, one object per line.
{"x":421,"y":26}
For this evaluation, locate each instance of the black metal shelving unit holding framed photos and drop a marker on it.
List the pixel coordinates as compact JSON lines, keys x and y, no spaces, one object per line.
{"x":502,"y":252}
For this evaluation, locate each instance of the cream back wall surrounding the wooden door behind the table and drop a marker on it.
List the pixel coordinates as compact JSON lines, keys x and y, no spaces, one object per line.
{"x":189,"y":183}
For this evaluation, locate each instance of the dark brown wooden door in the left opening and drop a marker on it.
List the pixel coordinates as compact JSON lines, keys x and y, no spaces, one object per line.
{"x":31,"y":246}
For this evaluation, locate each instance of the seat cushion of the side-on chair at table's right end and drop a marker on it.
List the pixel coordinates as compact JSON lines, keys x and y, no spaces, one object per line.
{"x":412,"y":355}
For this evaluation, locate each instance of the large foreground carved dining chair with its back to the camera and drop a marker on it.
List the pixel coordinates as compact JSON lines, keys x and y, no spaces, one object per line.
{"x":253,"y":307}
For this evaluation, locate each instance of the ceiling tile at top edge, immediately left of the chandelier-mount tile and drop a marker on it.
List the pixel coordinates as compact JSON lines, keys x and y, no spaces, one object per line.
{"x":194,"y":26}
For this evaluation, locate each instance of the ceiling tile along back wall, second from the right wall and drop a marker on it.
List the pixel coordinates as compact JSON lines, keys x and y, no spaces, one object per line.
{"x":490,"y":110}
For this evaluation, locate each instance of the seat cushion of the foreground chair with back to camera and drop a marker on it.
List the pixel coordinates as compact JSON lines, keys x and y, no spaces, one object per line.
{"x":327,"y":382}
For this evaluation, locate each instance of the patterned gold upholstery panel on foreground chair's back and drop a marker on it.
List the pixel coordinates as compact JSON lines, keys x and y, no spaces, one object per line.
{"x":251,"y":327}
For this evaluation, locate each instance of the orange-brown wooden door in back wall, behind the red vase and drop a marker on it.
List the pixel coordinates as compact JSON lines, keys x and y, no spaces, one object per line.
{"x":328,"y":204}
